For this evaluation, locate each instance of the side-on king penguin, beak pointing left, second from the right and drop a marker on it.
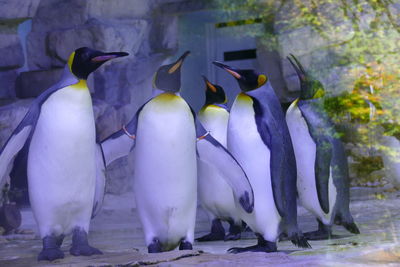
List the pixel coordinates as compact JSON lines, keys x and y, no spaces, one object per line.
{"x":259,"y":139}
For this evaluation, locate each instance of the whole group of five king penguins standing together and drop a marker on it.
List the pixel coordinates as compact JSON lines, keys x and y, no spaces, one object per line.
{"x":247,"y":166}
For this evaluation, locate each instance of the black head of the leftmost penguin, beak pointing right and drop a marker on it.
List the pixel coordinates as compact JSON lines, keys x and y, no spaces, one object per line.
{"x":84,"y":61}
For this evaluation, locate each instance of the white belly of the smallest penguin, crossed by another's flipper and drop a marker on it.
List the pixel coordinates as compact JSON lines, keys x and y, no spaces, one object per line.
{"x":215,"y":195}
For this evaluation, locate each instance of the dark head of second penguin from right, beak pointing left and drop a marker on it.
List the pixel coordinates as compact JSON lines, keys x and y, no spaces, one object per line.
{"x":248,"y":79}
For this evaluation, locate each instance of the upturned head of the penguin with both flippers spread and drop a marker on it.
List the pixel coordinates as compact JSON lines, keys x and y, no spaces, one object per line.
{"x":168,"y":77}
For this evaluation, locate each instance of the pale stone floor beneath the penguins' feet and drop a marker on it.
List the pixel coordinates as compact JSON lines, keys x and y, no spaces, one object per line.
{"x":117,"y":232}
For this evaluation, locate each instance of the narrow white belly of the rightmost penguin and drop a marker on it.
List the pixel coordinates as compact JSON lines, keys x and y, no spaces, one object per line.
{"x":305,"y":153}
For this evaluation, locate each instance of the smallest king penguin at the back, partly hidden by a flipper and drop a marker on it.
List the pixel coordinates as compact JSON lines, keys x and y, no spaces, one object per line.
{"x":215,"y":195}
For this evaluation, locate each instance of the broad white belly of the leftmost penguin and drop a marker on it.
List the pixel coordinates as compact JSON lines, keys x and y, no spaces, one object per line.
{"x":61,"y":162}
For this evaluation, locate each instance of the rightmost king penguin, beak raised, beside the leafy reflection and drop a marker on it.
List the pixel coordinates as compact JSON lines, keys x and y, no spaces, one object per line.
{"x":322,"y":171}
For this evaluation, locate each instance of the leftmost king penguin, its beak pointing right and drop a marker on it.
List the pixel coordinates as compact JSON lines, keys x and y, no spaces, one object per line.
{"x":61,"y":159}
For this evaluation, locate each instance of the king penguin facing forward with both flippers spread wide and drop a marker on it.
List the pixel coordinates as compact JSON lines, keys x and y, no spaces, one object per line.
{"x":165,"y":138}
